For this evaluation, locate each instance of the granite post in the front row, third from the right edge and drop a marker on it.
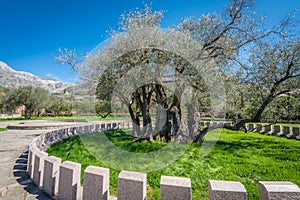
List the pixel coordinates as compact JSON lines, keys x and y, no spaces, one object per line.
{"x":175,"y":188}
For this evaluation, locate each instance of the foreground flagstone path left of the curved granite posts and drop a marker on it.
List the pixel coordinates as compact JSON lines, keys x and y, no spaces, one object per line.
{"x":14,"y":182}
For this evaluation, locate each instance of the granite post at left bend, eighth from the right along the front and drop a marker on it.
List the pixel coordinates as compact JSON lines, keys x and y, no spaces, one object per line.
{"x":38,"y":170}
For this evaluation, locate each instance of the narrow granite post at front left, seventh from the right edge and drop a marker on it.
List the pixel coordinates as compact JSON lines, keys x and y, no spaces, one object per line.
{"x":51,"y":175}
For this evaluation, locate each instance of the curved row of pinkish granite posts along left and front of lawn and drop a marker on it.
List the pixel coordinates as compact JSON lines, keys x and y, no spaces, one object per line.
{"x":61,"y":180}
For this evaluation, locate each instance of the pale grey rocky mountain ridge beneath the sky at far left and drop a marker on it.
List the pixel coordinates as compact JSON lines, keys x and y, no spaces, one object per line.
{"x":13,"y":79}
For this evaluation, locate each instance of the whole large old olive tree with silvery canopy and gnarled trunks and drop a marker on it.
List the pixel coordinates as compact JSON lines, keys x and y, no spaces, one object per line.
{"x":164,"y":76}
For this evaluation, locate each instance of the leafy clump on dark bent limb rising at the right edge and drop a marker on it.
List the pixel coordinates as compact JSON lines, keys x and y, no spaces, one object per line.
{"x":272,"y":69}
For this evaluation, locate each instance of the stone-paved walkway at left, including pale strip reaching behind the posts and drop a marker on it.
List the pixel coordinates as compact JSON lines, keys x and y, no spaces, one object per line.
{"x":14,"y":181}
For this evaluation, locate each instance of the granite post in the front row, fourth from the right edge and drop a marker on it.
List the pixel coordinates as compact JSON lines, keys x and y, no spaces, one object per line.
{"x":132,"y":186}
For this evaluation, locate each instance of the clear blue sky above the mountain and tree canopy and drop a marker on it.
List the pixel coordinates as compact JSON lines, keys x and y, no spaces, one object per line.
{"x":31,"y":31}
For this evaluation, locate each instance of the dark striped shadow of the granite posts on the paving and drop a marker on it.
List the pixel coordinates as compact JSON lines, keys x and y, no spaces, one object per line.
{"x":19,"y":171}
